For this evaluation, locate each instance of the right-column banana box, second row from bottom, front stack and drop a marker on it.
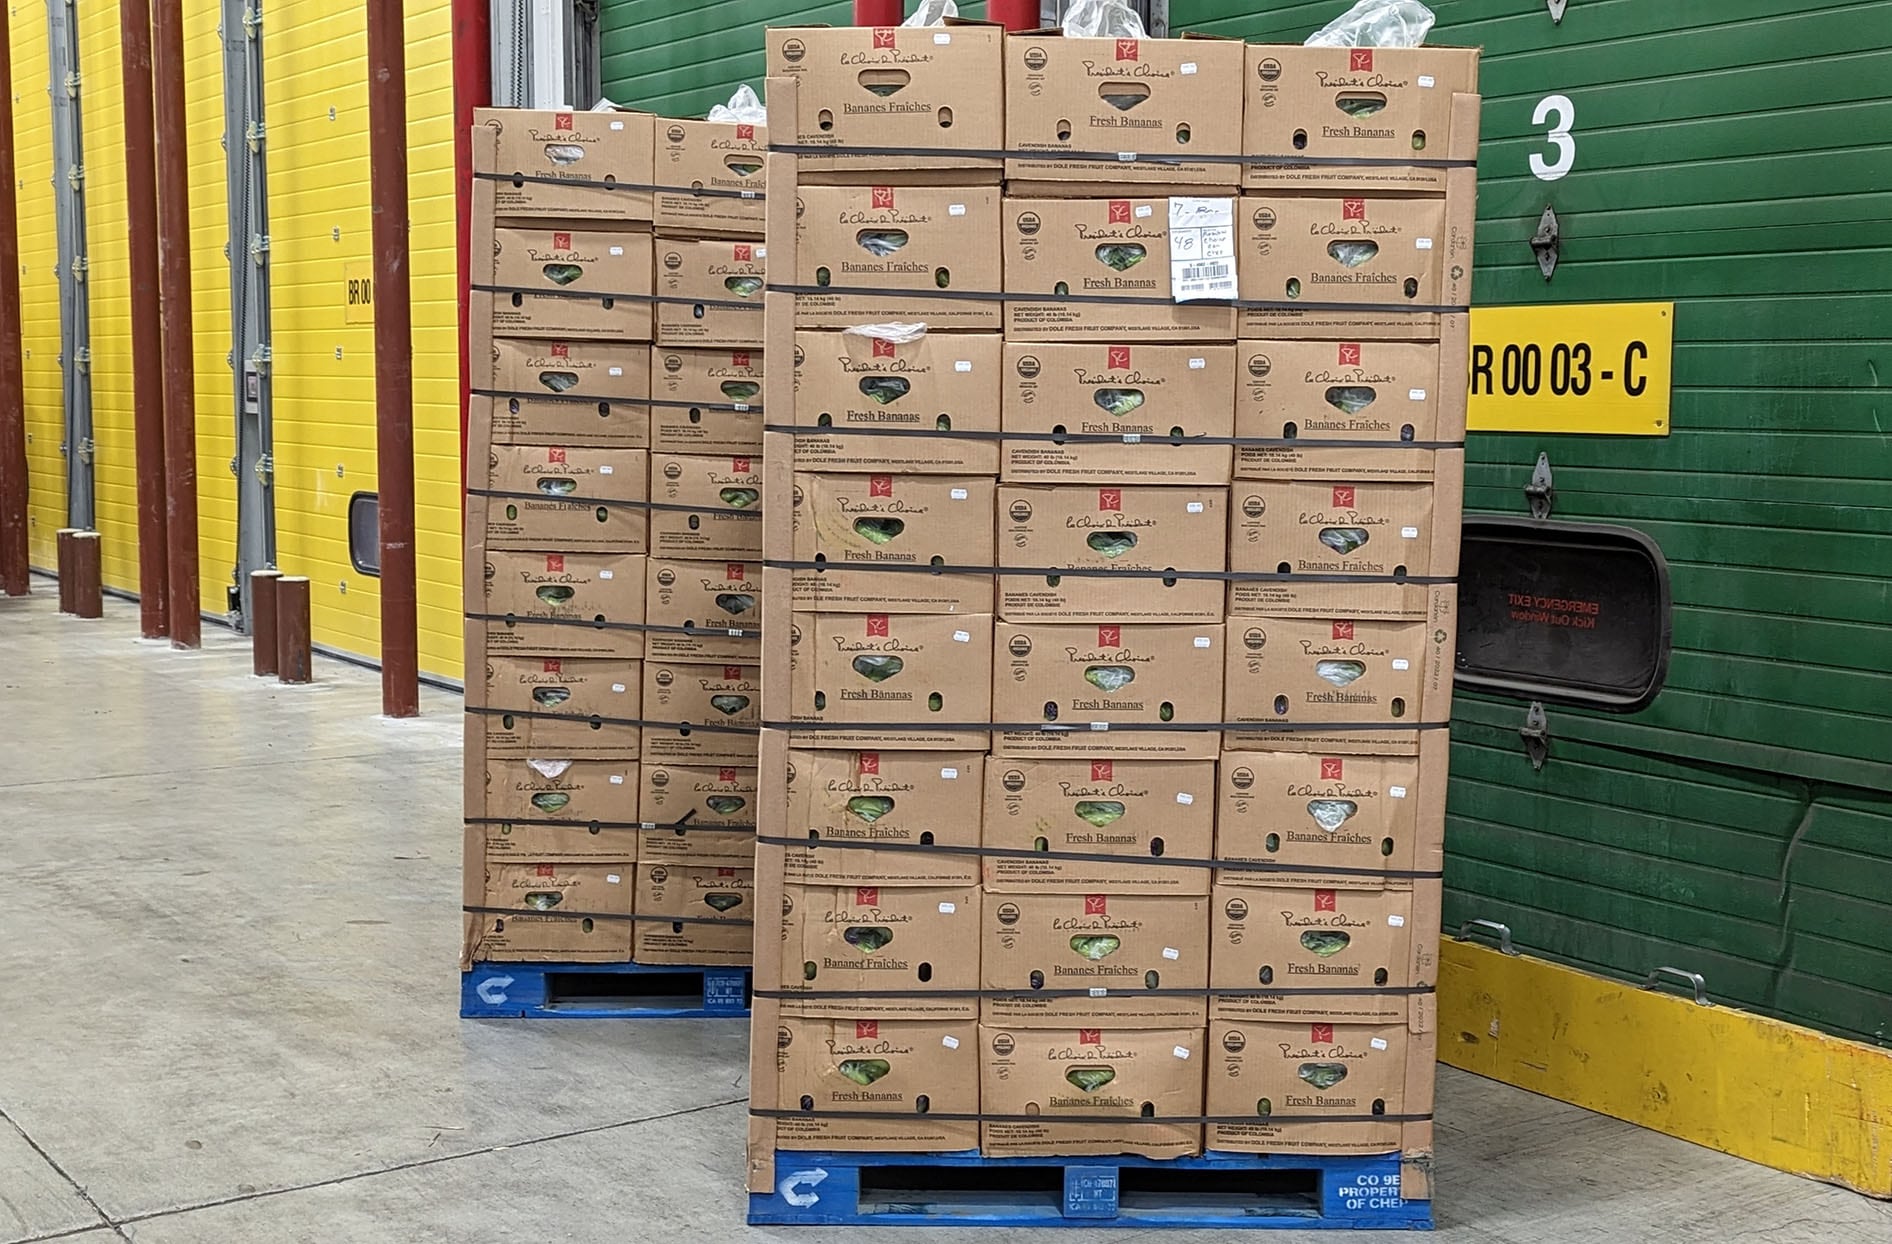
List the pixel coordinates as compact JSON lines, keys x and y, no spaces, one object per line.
{"x":1359,"y":941}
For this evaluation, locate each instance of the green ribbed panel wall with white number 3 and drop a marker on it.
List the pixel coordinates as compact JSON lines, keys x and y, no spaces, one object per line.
{"x":1736,"y":158}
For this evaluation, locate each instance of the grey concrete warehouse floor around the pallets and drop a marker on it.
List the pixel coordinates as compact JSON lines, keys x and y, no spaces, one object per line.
{"x":228,"y":937}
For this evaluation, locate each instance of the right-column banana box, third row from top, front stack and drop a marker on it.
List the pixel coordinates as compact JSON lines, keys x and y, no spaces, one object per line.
{"x":1312,"y":392}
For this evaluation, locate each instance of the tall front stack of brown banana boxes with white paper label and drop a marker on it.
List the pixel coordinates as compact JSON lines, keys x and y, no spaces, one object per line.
{"x":1108,"y":725}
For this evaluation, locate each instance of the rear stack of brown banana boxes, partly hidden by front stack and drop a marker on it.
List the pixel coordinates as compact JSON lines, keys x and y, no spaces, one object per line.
{"x":612,"y":585}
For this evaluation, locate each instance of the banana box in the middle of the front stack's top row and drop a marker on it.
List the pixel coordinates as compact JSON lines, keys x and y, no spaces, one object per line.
{"x":1081,"y":112}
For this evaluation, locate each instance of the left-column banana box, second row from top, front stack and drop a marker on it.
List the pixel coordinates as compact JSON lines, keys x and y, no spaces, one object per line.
{"x":907,"y":252}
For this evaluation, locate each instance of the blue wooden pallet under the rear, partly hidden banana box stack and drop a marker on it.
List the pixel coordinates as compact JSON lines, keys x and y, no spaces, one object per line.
{"x":603,"y":992}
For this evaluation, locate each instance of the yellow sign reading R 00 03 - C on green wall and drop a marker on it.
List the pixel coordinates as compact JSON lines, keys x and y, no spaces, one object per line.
{"x":1600,"y":370}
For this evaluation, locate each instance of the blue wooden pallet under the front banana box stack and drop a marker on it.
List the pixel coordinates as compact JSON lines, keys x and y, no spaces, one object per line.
{"x":1221,"y":1190}
